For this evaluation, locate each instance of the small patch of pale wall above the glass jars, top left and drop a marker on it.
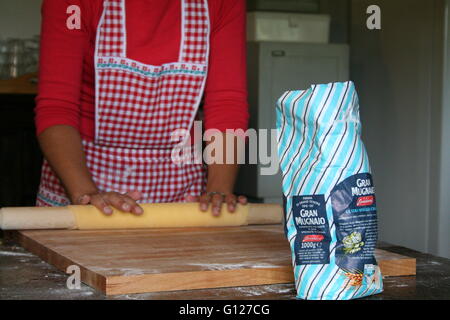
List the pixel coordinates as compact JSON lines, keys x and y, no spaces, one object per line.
{"x":20,"y":18}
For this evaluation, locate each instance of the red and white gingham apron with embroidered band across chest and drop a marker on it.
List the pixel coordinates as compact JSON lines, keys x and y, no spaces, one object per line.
{"x":138,"y":107}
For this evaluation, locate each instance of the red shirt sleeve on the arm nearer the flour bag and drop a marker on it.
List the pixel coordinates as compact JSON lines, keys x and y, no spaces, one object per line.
{"x":226,"y":104}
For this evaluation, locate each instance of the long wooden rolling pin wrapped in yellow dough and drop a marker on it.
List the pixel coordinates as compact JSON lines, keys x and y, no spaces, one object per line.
{"x":156,"y":215}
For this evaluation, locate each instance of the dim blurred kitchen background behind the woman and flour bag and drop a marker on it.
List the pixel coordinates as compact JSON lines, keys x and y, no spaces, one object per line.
{"x":401,"y":73}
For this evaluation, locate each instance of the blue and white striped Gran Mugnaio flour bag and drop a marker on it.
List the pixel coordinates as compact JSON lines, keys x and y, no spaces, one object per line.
{"x":329,"y":199}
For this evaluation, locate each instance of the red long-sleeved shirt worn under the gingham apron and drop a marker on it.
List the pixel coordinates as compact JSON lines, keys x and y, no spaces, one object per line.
{"x":66,"y":74}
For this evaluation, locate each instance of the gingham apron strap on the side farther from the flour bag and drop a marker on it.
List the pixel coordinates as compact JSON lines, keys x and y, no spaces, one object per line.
{"x":111,"y":34}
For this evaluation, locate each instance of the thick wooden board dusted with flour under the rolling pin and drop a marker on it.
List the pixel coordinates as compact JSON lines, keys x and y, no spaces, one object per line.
{"x":135,"y":261}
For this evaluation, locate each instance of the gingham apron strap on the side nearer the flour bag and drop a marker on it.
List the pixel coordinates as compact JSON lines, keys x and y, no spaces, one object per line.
{"x":195,"y":32}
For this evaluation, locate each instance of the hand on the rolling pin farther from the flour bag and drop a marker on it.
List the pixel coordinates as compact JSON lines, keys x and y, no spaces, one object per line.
{"x":105,"y":201}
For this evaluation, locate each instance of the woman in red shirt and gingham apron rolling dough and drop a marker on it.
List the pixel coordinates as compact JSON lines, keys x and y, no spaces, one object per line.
{"x":114,"y":89}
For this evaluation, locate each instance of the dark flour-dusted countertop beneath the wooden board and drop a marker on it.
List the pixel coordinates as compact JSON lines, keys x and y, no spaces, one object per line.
{"x":25,"y":276}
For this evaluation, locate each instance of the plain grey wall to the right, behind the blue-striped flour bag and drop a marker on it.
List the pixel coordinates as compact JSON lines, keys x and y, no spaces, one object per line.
{"x":398,"y":74}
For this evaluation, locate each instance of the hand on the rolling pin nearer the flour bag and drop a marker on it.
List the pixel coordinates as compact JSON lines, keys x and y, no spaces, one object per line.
{"x":217,"y":199}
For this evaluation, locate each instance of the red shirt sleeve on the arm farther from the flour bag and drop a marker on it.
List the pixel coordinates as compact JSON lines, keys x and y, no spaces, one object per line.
{"x":60,"y":70}
